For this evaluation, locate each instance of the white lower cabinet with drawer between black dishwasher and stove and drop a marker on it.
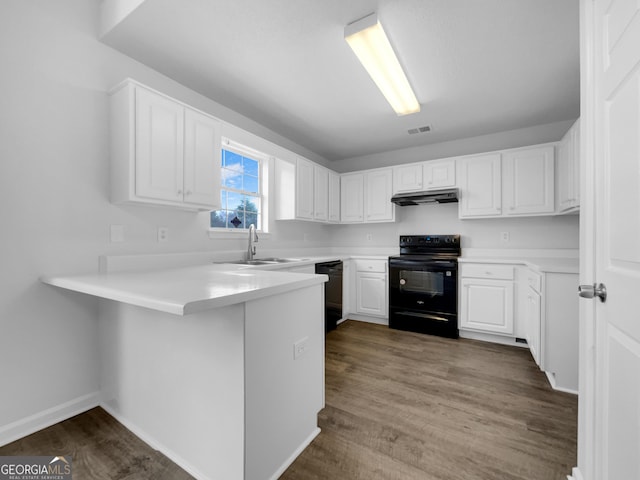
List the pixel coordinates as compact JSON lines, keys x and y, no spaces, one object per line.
{"x":371,"y":288}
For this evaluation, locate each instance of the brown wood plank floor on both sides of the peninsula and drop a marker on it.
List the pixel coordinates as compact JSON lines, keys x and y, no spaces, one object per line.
{"x":399,"y":406}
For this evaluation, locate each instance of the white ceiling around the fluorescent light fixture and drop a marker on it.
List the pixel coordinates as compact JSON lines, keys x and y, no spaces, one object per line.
{"x":477,"y":66}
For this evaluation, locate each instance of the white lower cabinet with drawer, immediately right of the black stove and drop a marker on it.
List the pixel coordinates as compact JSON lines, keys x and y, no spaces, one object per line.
{"x":487,"y":298}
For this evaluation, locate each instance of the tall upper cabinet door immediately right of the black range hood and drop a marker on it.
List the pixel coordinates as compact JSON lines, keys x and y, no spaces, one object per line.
{"x":480,"y":186}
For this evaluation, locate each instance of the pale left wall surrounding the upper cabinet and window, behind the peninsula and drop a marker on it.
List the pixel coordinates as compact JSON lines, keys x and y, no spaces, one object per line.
{"x":55,"y":210}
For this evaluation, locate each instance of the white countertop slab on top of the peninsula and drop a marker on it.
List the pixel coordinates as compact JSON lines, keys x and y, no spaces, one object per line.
{"x":188,"y":289}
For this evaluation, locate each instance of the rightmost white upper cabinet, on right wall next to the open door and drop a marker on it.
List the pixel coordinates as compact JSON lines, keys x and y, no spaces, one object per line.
{"x":568,"y":168}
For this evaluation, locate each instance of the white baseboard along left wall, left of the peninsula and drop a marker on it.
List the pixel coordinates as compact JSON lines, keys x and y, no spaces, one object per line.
{"x":33,"y":423}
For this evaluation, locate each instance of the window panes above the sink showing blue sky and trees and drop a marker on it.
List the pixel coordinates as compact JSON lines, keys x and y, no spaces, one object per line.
{"x":241,"y":193}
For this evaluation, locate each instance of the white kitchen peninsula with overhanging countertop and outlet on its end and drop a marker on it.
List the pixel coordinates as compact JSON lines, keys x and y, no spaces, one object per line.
{"x":220,"y":368}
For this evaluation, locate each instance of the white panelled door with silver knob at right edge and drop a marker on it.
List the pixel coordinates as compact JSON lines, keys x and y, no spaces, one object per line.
{"x":613,"y":123}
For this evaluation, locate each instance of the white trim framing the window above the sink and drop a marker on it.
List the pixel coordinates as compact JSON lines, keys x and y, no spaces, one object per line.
{"x":263,"y":159}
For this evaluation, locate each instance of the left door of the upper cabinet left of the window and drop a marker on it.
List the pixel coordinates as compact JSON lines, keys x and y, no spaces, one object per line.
{"x":159,"y":144}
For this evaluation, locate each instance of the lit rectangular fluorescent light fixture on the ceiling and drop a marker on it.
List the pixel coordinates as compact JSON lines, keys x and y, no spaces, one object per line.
{"x":369,"y":42}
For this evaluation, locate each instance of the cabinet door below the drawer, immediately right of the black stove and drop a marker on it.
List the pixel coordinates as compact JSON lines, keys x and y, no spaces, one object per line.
{"x":487,"y":305}
